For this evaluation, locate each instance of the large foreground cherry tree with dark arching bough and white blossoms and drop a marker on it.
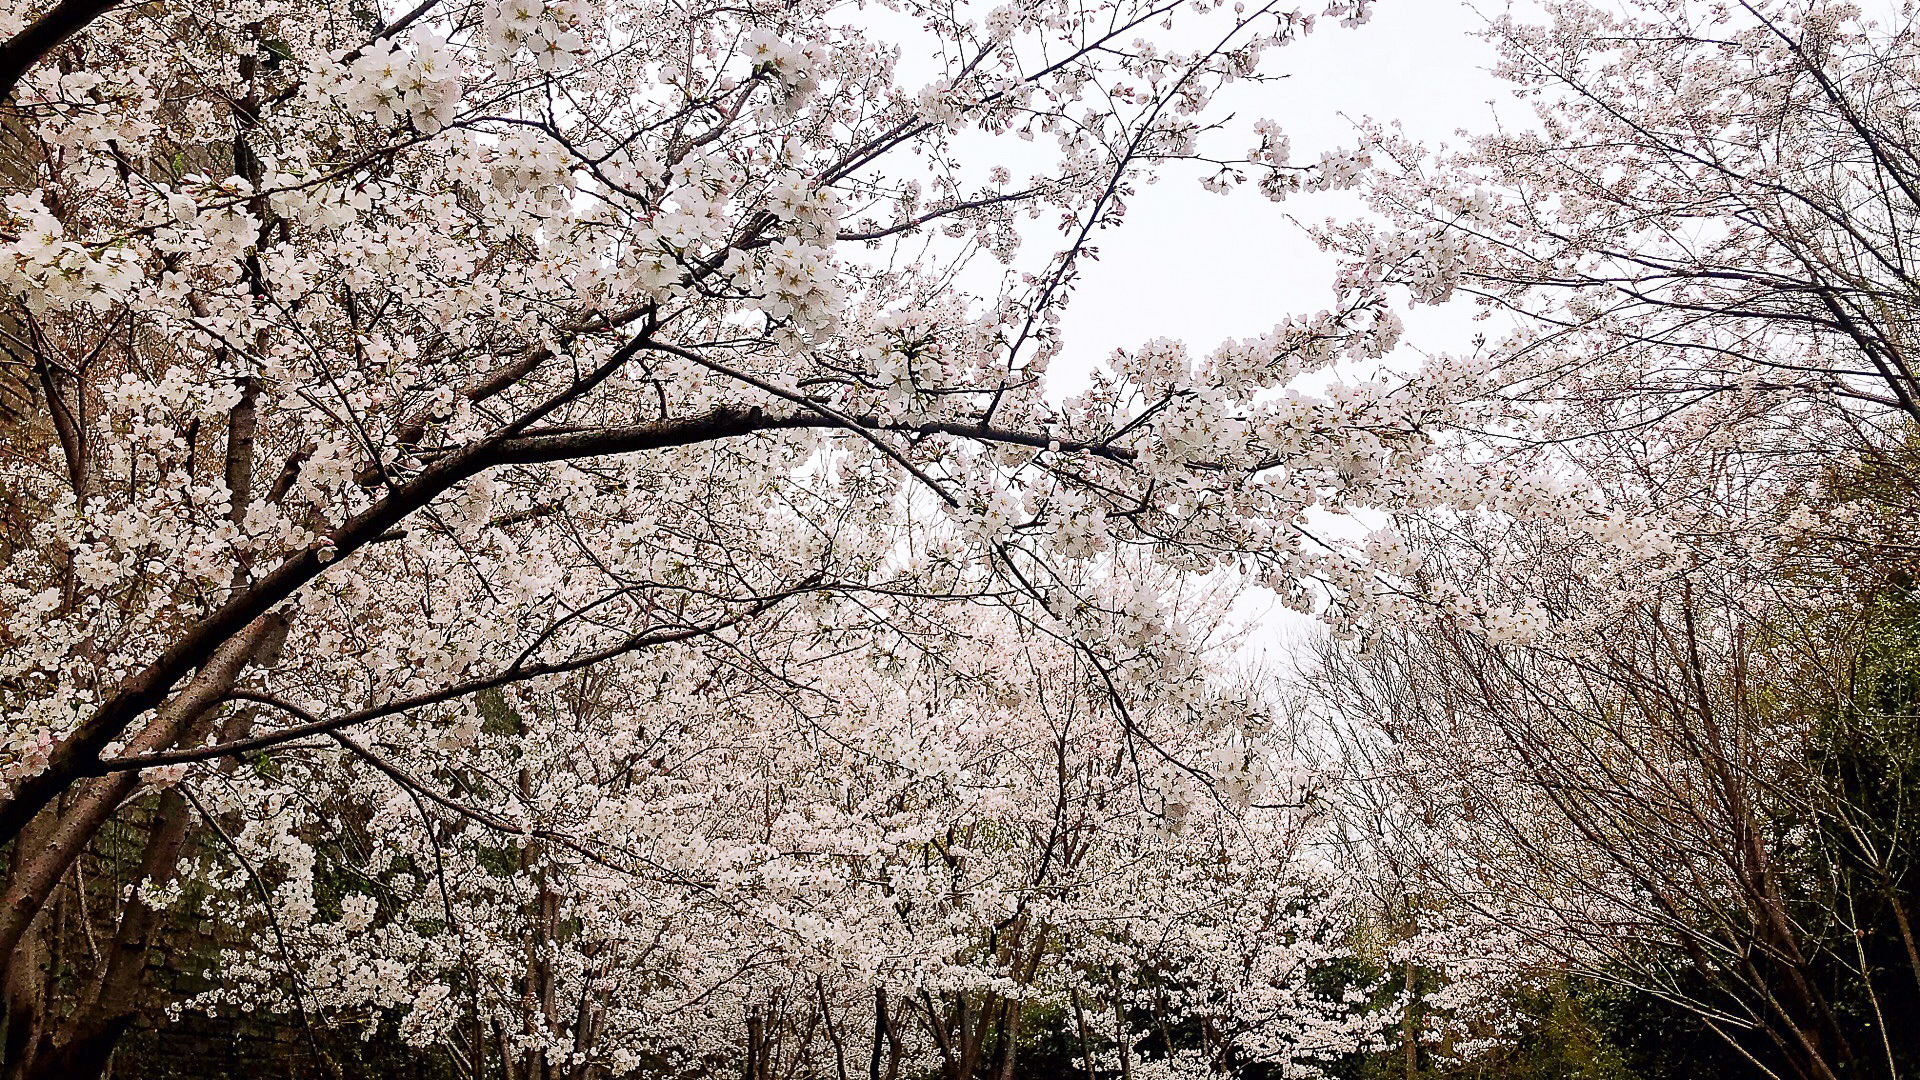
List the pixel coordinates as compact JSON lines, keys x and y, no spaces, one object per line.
{"x":395,"y":397}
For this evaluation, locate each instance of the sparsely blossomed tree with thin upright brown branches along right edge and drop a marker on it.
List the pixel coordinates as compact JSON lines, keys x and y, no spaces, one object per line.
{"x":1635,"y":626}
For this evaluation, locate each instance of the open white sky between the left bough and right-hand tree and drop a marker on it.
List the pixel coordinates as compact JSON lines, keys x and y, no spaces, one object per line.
{"x":1203,"y":268}
